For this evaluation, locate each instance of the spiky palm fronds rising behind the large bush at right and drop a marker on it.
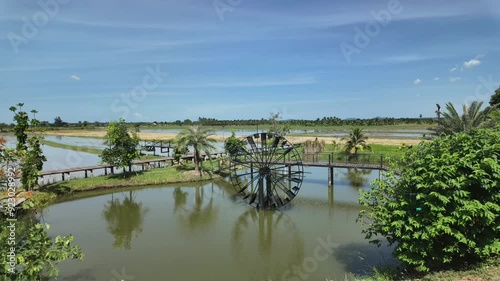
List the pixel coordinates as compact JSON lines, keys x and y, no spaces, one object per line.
{"x":472,"y":117}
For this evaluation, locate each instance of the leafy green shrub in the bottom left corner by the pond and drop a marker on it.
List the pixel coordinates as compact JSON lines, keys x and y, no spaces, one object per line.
{"x":36,"y":254}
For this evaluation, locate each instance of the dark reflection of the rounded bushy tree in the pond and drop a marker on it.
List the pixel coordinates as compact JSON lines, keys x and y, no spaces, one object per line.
{"x":124,"y":218}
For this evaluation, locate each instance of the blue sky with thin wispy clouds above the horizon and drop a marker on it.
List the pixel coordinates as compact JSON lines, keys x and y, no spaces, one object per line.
{"x":163,"y":60}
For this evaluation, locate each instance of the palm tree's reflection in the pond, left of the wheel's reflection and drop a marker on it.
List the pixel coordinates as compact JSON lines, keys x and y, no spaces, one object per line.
{"x":199,"y":217}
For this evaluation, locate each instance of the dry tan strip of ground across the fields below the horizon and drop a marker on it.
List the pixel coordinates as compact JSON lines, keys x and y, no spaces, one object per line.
{"x":169,"y":136}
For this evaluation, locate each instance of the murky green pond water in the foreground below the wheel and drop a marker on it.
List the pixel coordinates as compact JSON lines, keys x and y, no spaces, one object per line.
{"x":200,"y":231}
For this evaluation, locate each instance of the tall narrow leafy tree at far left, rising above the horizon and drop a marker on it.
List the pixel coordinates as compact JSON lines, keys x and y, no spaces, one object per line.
{"x":28,"y":148}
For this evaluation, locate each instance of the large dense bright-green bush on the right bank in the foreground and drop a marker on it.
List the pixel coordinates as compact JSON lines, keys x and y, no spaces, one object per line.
{"x":443,"y":206}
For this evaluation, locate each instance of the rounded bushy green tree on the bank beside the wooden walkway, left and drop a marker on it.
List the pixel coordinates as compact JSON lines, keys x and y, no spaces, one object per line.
{"x":122,"y":145}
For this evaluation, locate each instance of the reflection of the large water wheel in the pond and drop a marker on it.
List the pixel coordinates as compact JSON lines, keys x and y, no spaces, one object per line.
{"x":278,"y":241}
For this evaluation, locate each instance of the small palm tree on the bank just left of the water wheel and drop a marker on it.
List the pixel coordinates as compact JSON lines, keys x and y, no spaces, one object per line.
{"x":196,"y":137}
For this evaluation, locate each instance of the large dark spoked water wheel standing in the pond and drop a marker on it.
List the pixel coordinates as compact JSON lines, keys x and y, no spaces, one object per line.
{"x":267,"y":171}
